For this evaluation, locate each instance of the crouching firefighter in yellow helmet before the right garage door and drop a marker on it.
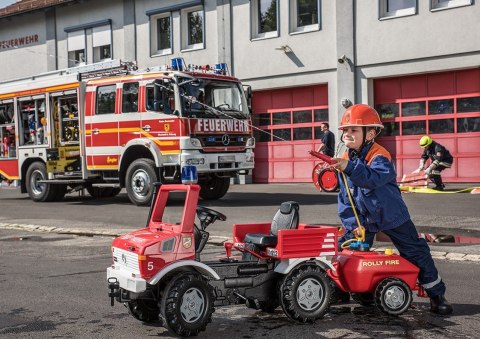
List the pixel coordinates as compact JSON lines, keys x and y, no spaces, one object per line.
{"x":441,"y":159}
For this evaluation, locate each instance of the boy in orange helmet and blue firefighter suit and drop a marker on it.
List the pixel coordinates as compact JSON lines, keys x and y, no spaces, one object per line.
{"x":371,"y":178}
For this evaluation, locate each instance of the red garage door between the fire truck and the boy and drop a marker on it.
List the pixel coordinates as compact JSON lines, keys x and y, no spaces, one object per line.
{"x":288,"y":122}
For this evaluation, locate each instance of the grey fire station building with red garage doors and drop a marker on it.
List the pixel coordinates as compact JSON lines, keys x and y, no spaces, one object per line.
{"x":417,"y":62}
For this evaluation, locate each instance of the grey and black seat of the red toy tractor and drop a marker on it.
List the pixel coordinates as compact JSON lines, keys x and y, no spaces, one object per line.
{"x":287,"y":217}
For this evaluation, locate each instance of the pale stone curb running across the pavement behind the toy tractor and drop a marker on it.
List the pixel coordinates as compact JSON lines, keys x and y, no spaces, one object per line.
{"x":213,"y":240}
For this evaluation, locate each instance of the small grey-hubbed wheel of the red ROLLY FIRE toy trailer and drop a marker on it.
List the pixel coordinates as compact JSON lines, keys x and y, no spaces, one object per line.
{"x":393,"y":296}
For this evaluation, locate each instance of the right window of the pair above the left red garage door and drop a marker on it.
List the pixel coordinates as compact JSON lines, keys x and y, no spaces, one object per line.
{"x":304,"y":15}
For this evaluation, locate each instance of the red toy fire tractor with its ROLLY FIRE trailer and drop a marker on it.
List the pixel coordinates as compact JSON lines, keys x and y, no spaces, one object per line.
{"x":157,"y":272}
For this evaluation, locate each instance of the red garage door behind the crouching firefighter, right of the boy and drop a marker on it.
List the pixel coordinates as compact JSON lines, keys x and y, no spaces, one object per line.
{"x":444,"y":105}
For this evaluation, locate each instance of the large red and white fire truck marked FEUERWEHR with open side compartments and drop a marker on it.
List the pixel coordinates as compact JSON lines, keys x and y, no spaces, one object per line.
{"x":108,"y":126}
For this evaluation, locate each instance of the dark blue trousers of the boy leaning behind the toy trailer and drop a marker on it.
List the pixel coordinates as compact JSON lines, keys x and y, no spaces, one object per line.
{"x":414,"y":249}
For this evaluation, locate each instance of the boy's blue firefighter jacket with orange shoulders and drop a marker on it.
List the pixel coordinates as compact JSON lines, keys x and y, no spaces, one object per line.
{"x":371,"y":178}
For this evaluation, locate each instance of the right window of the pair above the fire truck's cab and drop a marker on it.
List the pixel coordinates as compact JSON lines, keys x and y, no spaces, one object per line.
{"x":193,"y":28}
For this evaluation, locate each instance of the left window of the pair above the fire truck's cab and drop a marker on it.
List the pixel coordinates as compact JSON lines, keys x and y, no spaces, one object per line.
{"x":162,"y":34}
